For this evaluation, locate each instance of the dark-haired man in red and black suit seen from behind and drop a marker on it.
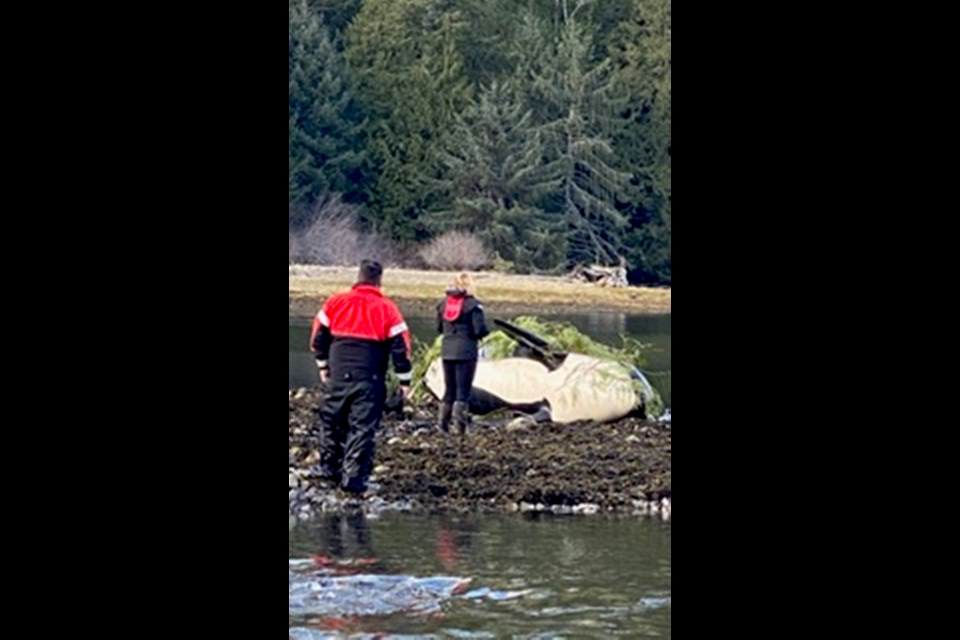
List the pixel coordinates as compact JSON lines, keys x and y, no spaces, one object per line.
{"x":354,"y":336}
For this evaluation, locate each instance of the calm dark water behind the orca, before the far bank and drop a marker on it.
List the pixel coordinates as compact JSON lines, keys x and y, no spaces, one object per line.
{"x":604,"y":326}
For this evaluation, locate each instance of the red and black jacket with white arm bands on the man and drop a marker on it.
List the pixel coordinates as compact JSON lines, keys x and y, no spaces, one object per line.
{"x":357,"y":331}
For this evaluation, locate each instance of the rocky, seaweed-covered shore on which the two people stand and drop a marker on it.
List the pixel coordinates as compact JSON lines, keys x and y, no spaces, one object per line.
{"x":621,"y":467}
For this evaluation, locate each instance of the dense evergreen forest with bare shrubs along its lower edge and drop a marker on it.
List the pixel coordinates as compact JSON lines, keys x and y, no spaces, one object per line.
{"x":524,"y":136}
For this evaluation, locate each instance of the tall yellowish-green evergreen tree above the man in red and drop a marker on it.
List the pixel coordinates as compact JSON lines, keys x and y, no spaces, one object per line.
{"x":412,"y":83}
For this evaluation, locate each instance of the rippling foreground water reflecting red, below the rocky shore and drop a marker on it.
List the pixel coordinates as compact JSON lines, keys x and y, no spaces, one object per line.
{"x":518,"y":576}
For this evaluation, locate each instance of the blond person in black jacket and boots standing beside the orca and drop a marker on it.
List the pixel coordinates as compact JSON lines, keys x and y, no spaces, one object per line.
{"x":460,"y":320}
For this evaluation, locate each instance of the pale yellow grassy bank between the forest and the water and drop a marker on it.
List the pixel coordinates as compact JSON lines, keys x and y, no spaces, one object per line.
{"x":310,"y":286}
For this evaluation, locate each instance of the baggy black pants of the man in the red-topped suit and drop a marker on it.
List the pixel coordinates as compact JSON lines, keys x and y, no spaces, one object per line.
{"x":349,"y":419}
